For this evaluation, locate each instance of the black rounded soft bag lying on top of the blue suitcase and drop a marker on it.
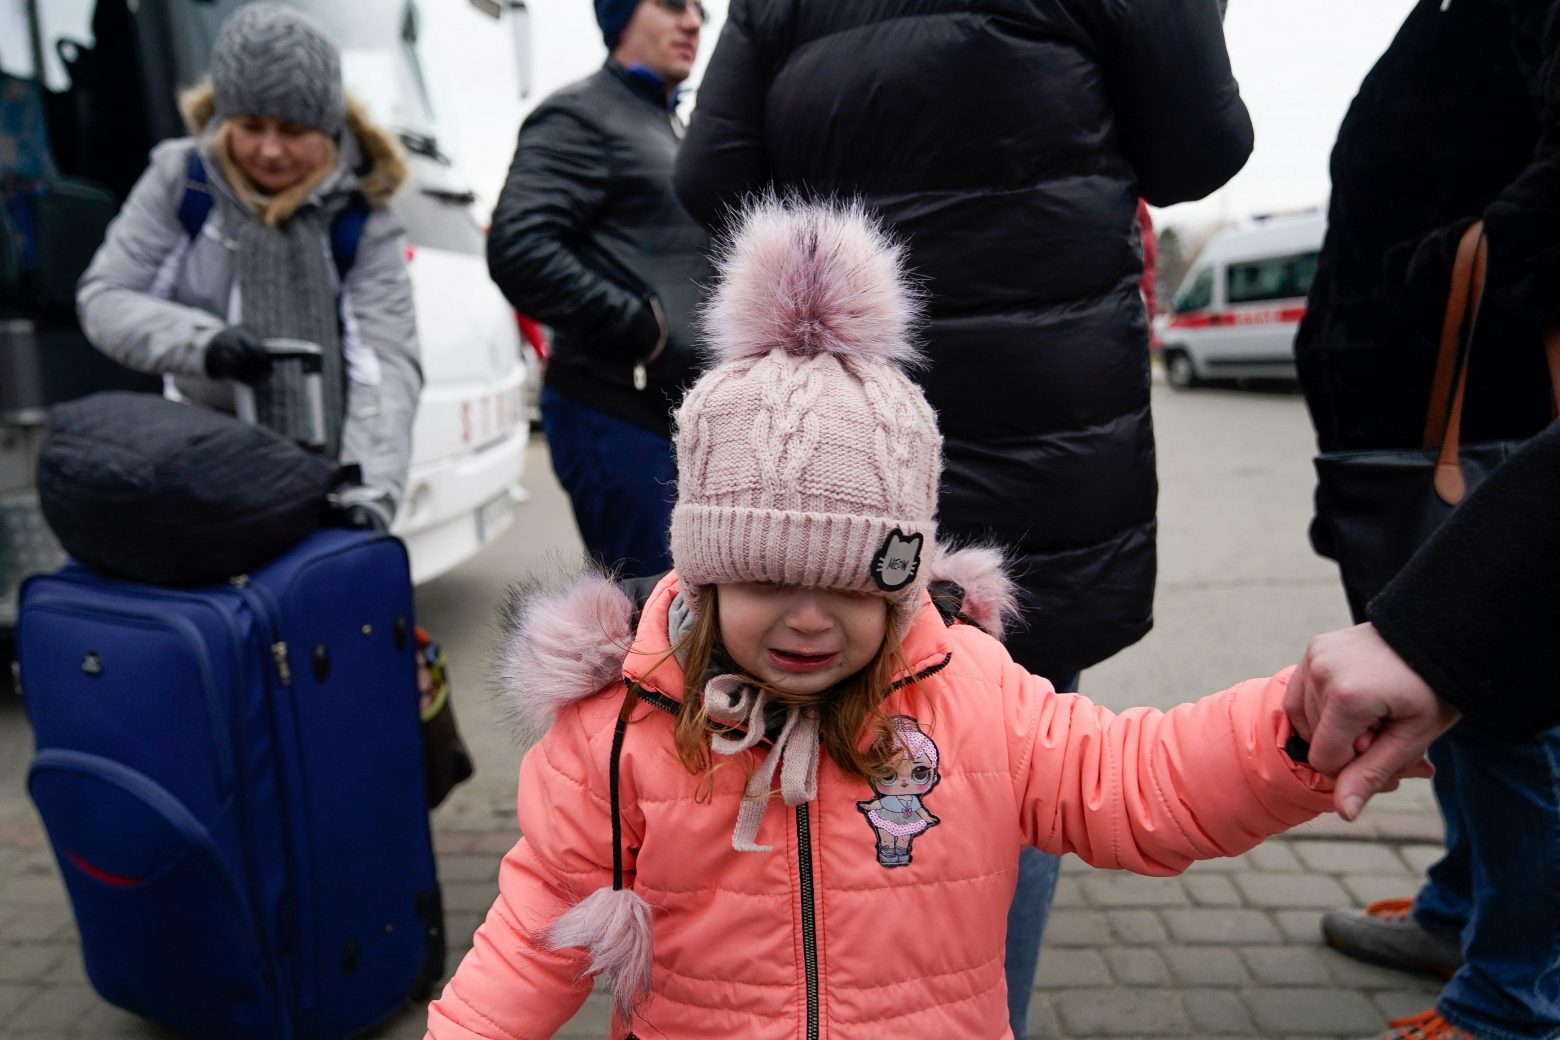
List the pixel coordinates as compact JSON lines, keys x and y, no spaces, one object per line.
{"x":151,"y":490}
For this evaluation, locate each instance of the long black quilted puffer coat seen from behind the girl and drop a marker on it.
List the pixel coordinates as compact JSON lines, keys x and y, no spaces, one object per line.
{"x":1009,"y":141}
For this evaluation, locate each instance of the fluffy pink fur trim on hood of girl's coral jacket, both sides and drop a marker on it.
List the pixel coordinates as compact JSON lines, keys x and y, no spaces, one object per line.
{"x":569,"y":639}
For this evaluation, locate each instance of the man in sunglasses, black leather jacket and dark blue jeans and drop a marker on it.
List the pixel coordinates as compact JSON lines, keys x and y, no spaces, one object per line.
{"x":589,"y":238}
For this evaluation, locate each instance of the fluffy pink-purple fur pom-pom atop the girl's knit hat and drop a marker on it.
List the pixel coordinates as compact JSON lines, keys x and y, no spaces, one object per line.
{"x":812,"y":280}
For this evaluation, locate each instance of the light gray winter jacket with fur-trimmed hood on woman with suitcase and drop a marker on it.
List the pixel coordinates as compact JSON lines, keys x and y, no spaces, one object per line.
{"x":154,"y":299}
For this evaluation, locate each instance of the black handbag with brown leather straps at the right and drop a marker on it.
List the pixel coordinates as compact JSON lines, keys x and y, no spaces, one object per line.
{"x":1377,"y":508}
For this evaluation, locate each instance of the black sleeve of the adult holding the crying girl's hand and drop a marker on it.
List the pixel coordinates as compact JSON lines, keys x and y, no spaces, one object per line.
{"x":1477,"y":610}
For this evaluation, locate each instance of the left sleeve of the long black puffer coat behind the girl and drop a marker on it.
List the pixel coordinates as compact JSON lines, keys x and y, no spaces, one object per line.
{"x":723,"y":158}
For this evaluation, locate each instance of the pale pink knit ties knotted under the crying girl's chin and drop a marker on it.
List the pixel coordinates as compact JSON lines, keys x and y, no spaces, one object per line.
{"x":732,"y":702}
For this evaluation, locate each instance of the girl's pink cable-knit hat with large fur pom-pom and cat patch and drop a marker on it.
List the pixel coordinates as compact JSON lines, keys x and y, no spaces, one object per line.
{"x":806,"y":455}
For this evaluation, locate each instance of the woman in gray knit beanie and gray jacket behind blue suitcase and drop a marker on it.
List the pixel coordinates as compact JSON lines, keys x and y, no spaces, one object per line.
{"x":236,"y":236}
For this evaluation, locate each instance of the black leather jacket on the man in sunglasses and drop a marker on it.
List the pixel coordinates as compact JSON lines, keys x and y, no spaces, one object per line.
{"x":587,"y":228}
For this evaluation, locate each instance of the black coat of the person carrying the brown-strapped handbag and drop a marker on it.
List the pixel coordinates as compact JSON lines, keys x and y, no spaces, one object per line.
{"x":1459,"y":119}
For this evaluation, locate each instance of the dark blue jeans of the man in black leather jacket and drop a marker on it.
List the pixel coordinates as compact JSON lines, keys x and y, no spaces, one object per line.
{"x":622,"y":481}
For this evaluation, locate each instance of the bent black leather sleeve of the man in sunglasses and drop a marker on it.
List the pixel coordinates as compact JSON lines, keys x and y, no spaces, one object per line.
{"x":555,"y":191}
